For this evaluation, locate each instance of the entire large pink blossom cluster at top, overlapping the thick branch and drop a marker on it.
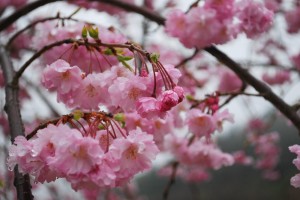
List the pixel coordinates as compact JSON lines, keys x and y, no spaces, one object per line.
{"x":215,"y":22}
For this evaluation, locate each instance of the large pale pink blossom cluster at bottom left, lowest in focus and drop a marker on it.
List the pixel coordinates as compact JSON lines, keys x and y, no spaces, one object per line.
{"x":62,"y":152}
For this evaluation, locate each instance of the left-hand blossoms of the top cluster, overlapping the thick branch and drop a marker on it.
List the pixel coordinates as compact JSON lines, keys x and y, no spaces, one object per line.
{"x":202,"y":24}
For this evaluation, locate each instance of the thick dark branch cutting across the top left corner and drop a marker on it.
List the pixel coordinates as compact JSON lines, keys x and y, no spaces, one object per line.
{"x":6,"y":22}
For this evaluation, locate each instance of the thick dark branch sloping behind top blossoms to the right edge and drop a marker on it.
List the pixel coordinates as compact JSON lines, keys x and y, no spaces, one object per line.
{"x":244,"y":75}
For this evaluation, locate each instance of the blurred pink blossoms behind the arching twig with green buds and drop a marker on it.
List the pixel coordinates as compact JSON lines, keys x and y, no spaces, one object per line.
{"x":87,"y":59}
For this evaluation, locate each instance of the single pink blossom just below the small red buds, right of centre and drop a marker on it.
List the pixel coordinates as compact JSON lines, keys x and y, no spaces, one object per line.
{"x":200,"y":124}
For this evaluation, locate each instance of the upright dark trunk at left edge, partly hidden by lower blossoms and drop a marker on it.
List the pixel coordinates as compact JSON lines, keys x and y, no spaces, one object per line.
{"x":12,"y":108}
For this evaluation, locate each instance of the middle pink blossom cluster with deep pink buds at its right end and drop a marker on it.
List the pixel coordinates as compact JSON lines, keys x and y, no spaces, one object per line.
{"x":117,"y":88}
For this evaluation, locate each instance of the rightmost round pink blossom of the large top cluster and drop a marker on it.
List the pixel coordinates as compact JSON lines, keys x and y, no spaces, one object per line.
{"x":254,"y":17}
